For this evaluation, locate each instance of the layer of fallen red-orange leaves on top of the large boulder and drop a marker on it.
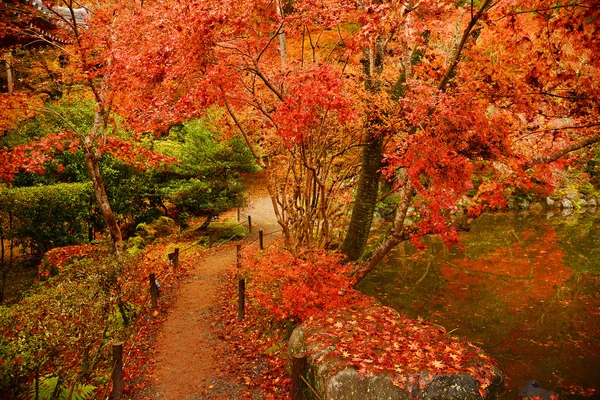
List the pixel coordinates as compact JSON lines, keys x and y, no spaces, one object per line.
{"x":377,"y":340}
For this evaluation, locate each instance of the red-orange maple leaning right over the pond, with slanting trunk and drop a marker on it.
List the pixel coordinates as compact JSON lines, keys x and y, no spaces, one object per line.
{"x":491,"y":112}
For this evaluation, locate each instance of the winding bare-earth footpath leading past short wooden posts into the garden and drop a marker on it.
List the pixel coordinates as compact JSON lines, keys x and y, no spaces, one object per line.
{"x":187,"y":355}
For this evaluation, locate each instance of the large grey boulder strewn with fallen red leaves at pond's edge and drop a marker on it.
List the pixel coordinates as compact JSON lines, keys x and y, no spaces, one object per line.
{"x":335,"y":376}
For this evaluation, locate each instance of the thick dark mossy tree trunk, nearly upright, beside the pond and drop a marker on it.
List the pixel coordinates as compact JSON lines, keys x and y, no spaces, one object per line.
{"x":364,"y":203}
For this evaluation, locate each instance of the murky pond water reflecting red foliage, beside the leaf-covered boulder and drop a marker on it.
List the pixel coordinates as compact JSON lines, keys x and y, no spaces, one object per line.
{"x":525,"y":288}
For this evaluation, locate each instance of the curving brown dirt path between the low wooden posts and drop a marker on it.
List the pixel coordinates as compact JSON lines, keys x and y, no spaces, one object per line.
{"x":186,"y":347}
